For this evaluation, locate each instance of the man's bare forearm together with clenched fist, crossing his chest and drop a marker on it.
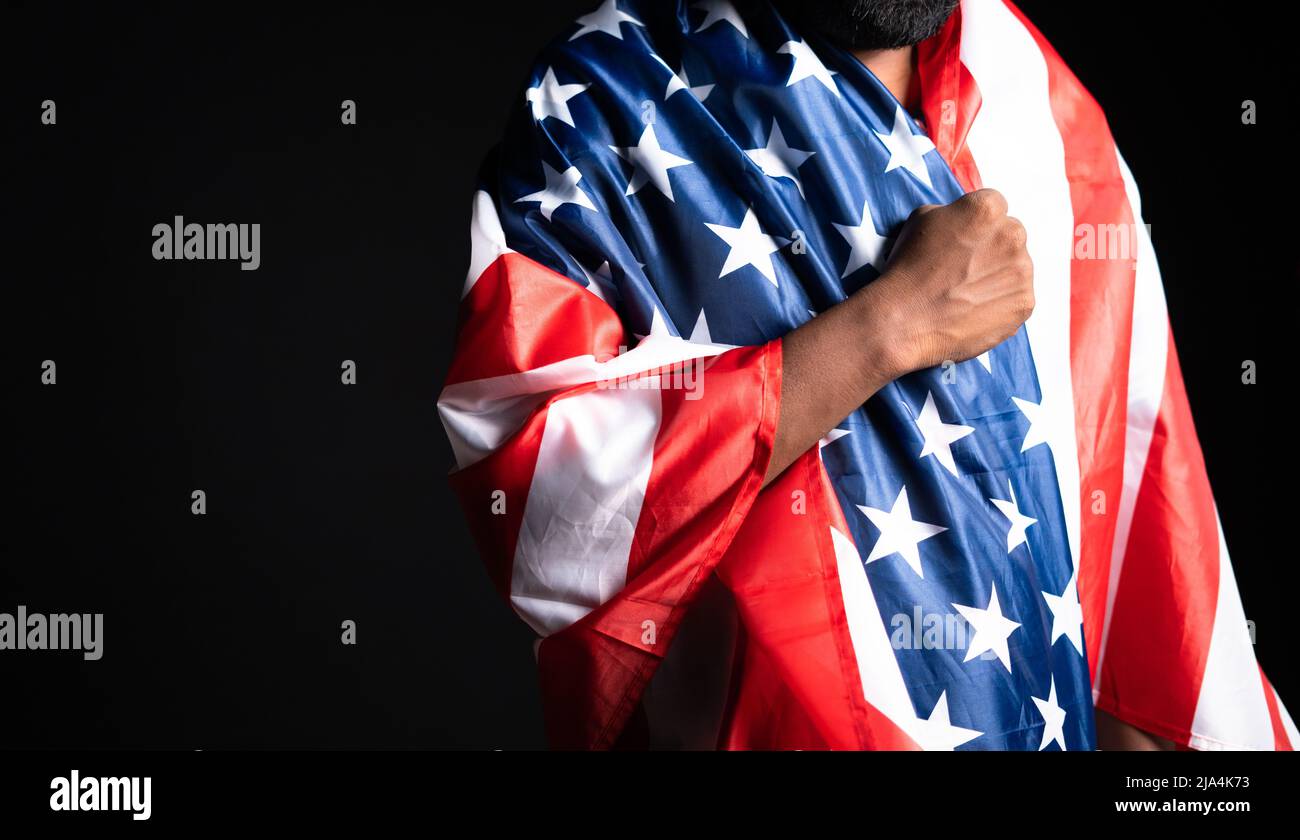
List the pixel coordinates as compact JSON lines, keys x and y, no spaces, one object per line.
{"x":959,"y":282}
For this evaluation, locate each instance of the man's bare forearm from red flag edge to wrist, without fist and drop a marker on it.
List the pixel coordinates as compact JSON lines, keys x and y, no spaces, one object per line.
{"x":830,"y":367}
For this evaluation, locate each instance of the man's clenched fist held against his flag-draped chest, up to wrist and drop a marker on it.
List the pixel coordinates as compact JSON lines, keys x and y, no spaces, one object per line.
{"x":959,"y":282}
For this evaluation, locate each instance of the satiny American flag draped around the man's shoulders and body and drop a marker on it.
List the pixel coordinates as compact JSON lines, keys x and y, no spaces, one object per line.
{"x":977,"y":557}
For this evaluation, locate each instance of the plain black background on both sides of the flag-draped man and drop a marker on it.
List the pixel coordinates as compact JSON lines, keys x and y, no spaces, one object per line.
{"x":330,"y":503}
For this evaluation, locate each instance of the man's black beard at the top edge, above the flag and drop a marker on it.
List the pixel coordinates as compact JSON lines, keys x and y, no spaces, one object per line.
{"x":872,"y":24}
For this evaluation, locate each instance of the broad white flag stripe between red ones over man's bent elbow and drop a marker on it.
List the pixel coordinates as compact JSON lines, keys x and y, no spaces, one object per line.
{"x":582,"y":513}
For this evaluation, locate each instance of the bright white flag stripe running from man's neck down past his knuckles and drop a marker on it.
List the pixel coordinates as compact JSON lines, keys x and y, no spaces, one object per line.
{"x":1019,"y":151}
